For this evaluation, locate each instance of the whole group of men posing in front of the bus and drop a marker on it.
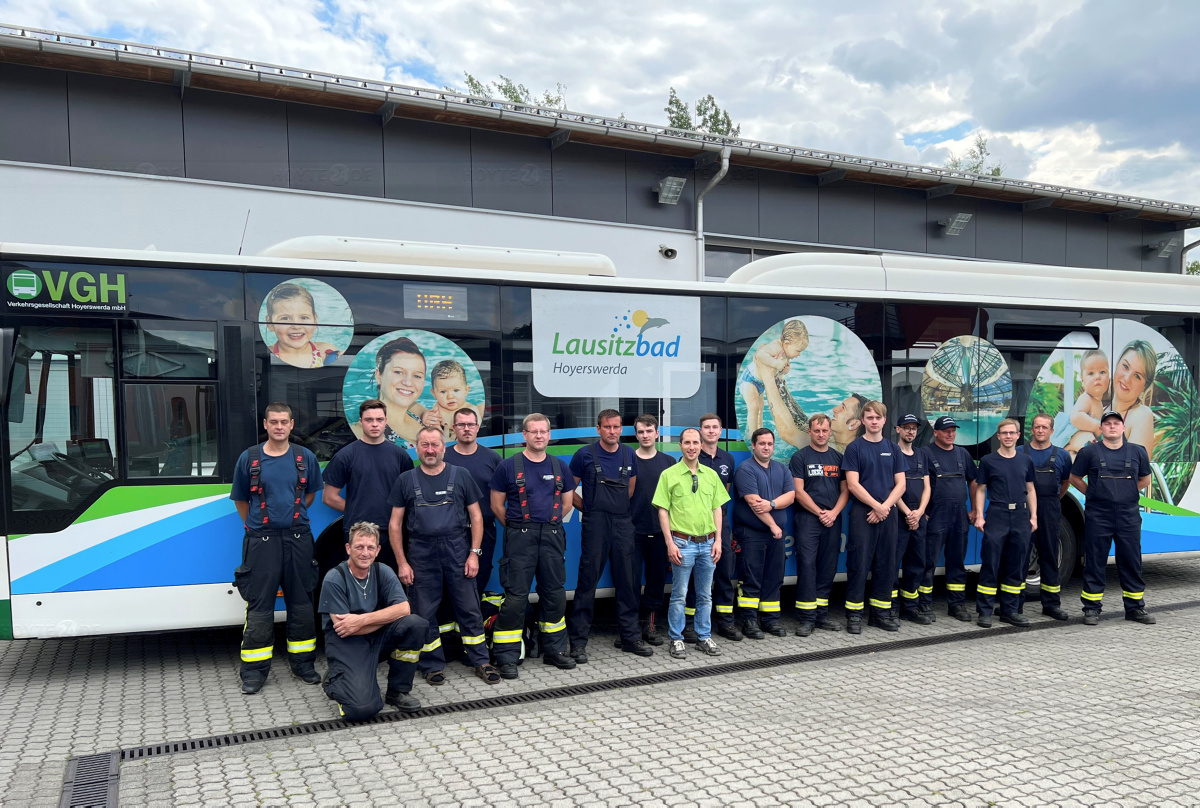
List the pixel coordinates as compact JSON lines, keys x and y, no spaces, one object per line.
{"x":418,"y":536}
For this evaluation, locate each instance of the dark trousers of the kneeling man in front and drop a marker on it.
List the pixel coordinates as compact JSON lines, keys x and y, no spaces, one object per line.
{"x":353,"y":661}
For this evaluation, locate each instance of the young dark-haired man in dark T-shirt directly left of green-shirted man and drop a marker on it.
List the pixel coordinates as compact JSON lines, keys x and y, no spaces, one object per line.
{"x":650,"y":552}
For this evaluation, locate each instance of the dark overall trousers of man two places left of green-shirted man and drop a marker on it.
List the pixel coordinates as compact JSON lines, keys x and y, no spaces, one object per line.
{"x":607,"y":540}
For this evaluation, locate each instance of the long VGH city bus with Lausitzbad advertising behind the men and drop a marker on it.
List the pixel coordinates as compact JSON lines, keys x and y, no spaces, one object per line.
{"x":134,"y":380}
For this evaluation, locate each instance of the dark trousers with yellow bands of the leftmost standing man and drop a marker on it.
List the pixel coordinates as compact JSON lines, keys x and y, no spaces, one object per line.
{"x":272,"y":560}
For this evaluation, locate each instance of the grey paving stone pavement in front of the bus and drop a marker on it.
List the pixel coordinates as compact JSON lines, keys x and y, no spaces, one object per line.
{"x":1072,"y":716}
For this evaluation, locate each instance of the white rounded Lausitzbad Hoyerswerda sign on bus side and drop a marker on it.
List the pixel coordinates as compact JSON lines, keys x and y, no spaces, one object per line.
{"x":603,"y":345}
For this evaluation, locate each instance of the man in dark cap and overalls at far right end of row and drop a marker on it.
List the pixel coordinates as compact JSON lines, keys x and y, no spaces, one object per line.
{"x":1117,"y":471}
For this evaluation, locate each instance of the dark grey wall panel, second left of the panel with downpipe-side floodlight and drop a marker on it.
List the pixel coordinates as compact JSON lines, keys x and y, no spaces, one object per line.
{"x":512,"y":172}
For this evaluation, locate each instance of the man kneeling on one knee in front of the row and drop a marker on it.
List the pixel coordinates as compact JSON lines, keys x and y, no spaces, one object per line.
{"x":367,"y":620}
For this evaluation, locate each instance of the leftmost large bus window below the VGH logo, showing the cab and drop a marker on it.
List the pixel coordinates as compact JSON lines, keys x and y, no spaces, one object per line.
{"x":62,"y":432}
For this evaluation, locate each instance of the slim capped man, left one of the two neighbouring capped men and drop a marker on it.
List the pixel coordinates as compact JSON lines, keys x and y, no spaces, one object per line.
{"x":911,"y":536}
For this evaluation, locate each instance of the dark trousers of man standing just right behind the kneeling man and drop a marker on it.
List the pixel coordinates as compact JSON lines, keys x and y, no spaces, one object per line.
{"x":437,"y":566}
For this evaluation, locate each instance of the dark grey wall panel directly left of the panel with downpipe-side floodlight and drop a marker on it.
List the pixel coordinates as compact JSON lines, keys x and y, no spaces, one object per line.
{"x":590,"y":183}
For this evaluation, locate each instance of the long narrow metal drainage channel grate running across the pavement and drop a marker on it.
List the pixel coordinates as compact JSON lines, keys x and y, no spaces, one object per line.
{"x":517,"y":699}
